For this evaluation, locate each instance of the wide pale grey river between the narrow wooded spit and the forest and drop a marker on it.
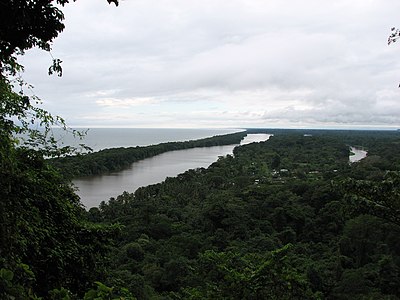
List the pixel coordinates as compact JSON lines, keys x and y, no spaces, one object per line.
{"x":94,"y":189}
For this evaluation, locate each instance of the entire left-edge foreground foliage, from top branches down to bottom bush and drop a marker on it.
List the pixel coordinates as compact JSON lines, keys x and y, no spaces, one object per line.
{"x":46,"y":245}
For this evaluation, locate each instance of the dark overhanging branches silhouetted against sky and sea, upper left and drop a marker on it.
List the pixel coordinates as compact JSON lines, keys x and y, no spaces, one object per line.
{"x":25,"y":24}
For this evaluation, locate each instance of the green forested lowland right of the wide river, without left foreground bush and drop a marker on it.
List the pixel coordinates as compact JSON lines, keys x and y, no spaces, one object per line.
{"x":288,"y":218}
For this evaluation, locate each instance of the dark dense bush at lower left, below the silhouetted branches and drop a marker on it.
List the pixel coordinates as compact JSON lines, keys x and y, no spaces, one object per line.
{"x":42,"y":226}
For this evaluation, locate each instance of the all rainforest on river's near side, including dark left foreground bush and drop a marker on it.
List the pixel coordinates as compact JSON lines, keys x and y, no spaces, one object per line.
{"x":288,"y":218}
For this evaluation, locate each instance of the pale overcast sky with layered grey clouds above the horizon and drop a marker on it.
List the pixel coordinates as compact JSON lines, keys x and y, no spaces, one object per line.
{"x":219,"y":63}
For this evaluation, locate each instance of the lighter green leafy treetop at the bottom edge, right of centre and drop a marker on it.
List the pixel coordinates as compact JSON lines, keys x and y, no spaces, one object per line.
{"x":230,"y":275}
